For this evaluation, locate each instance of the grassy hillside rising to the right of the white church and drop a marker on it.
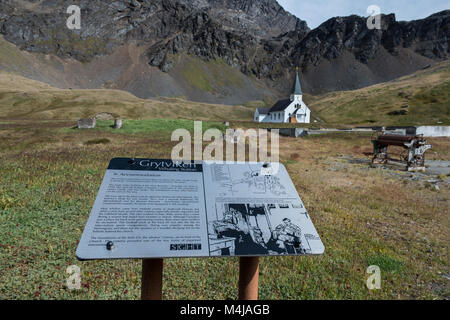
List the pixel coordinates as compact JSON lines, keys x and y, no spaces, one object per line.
{"x":420,"y":98}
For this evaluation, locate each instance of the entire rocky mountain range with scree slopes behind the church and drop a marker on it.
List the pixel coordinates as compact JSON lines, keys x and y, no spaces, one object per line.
{"x":227,"y":51}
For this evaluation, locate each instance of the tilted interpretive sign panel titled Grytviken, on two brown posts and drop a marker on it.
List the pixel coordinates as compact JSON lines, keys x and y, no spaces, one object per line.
{"x":150,"y":208}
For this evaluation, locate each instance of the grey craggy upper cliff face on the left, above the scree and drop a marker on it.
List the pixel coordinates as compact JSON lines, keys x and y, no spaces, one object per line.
{"x":39,"y":26}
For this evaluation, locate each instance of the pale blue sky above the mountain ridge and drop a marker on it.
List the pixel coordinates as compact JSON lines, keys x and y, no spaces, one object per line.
{"x":315,"y":12}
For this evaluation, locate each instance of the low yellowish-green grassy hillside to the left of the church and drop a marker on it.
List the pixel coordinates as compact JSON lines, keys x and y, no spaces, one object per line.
{"x":28,"y":99}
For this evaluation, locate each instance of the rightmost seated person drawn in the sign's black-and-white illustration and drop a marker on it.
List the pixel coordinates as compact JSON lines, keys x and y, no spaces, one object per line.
{"x":287,"y":237}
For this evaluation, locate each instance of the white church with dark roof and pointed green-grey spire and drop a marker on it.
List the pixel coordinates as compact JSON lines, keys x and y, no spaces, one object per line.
{"x":292,"y":110}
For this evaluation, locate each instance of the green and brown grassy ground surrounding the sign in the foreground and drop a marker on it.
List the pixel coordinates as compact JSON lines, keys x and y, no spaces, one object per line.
{"x":49,"y":181}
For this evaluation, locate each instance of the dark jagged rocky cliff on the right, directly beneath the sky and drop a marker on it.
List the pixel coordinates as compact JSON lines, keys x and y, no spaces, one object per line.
{"x":428,"y":37}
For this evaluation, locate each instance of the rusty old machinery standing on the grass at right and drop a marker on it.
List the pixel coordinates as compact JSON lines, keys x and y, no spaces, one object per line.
{"x":414,"y":146}
